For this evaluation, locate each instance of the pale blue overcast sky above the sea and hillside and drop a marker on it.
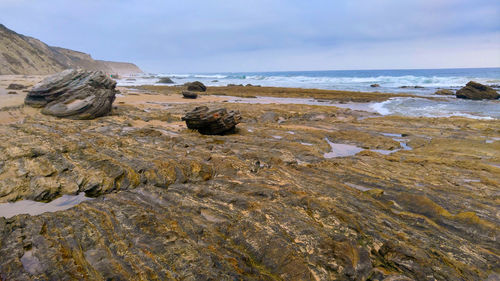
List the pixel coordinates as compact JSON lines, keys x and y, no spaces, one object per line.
{"x":193,"y":36}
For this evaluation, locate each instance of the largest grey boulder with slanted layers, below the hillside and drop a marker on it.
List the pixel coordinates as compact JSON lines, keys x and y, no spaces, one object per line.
{"x":74,"y":94}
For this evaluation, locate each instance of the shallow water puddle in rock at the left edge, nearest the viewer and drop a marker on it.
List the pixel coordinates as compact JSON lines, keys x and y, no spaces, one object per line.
{"x":34,"y":208}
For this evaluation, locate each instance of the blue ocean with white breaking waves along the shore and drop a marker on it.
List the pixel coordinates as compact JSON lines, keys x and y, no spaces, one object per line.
{"x":421,"y":82}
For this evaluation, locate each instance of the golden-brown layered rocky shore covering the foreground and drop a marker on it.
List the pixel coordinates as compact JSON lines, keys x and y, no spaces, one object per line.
{"x":262,"y":203}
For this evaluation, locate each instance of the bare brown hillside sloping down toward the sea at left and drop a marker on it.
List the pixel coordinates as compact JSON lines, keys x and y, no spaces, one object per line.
{"x":21,"y":54}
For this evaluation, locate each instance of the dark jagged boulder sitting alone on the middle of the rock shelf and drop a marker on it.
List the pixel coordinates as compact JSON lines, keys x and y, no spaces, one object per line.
{"x":212,"y":122}
